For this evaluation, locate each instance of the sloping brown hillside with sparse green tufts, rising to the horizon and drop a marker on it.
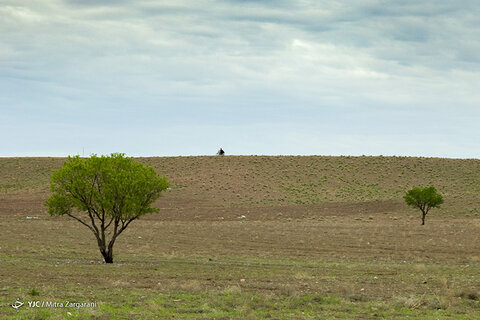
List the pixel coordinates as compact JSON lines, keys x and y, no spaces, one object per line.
{"x":264,"y":181}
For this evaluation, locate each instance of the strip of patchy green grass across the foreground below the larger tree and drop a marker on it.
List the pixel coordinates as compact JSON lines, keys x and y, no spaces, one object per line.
{"x":242,"y":288}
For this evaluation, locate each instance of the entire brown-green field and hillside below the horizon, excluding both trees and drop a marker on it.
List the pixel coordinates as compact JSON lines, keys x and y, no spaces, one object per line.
{"x":322,"y":238}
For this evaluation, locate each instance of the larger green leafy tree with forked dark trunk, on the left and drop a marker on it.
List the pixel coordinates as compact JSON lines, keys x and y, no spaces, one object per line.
{"x":105,"y":194}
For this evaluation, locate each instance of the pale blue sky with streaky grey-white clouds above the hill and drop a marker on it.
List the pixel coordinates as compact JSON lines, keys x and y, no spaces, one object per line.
{"x":178,"y":78}
